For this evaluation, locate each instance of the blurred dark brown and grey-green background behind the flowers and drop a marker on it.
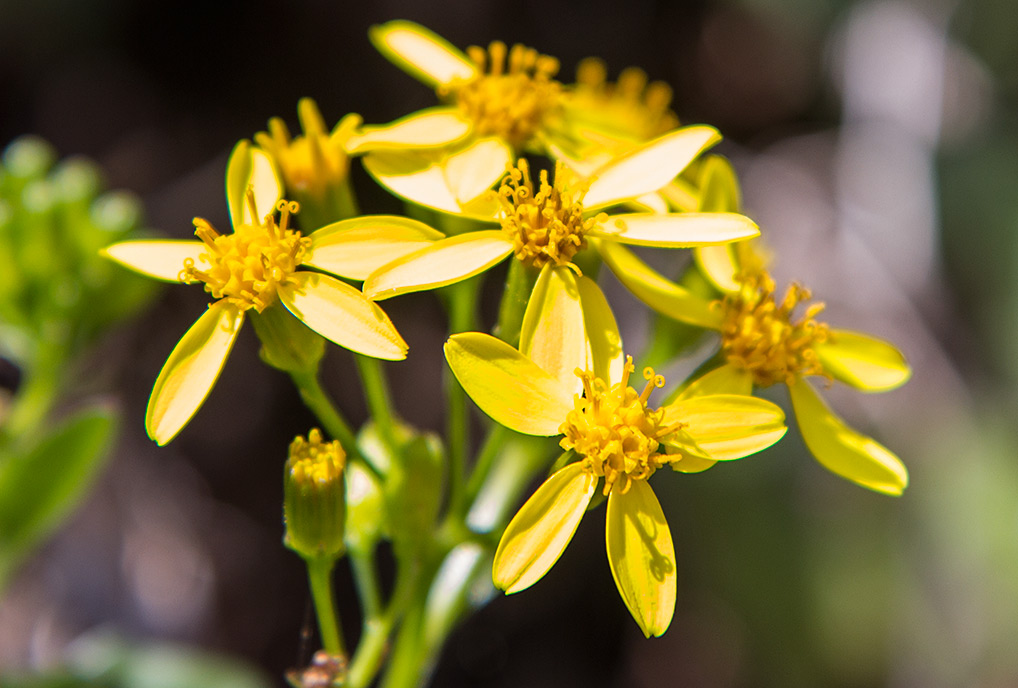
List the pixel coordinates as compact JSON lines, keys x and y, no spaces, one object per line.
{"x":878,"y":147}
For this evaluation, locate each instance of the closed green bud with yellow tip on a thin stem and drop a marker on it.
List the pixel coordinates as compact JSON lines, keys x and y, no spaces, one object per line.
{"x":315,"y":497}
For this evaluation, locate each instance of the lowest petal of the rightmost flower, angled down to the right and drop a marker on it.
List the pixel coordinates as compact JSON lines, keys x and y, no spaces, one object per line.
{"x":841,"y":449}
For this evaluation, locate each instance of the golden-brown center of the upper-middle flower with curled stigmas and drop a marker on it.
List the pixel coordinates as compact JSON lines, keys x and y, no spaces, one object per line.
{"x":547,"y":225}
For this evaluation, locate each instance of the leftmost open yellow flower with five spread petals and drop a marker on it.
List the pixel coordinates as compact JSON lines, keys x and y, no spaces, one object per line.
{"x":256,"y":271}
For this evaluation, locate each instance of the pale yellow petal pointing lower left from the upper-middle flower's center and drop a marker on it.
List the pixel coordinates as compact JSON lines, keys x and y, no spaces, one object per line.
{"x":442,"y":263}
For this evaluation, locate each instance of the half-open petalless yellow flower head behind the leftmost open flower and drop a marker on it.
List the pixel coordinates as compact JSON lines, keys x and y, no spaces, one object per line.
{"x":316,"y":162}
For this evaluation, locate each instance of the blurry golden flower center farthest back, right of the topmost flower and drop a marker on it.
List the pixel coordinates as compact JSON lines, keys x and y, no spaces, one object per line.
{"x":632,"y":105}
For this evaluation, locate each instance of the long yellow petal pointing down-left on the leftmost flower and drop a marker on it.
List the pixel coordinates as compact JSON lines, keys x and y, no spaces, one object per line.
{"x":192,"y":371}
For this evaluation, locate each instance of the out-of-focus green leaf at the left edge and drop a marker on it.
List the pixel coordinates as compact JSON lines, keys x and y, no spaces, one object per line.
{"x":40,"y":487}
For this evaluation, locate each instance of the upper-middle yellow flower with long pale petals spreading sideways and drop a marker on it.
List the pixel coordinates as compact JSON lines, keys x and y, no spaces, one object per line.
{"x":545,"y":223}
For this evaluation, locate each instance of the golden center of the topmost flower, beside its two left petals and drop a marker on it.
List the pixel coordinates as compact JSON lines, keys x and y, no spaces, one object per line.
{"x":508,"y":100}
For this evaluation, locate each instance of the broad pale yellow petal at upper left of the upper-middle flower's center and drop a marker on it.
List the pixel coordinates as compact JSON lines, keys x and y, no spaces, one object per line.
{"x":451,"y":184}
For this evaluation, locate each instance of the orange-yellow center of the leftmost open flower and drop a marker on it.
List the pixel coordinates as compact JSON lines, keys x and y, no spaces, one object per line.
{"x":249,"y":266}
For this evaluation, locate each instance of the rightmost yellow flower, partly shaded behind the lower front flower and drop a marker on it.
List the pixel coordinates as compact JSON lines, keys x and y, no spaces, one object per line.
{"x":767,"y":339}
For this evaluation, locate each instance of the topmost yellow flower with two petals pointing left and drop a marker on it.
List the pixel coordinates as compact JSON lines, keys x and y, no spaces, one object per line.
{"x":506,"y":93}
